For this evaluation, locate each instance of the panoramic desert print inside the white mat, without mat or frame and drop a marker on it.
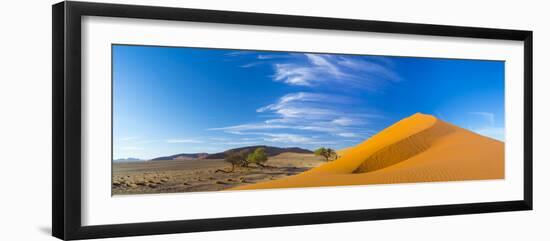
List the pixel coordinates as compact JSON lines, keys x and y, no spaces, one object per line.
{"x":189,"y":119}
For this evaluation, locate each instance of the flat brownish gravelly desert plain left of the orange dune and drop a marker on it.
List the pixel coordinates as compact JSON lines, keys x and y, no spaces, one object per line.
{"x":200,"y":175}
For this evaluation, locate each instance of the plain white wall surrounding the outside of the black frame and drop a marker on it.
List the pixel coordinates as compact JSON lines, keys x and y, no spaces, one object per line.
{"x":25,"y":122}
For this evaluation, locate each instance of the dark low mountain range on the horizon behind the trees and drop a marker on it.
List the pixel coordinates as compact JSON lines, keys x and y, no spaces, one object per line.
{"x":269,"y":150}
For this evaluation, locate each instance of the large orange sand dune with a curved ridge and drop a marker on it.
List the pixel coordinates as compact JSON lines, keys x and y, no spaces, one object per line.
{"x":419,"y":148}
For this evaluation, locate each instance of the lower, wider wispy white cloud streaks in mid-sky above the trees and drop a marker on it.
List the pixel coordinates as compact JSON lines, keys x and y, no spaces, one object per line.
{"x":304,"y":112}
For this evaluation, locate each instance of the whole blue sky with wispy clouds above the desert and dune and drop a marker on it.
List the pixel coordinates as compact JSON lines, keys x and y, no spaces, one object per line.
{"x":186,"y":100}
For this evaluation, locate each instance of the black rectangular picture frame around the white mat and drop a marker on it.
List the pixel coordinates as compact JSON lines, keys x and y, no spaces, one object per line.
{"x":66,"y":168}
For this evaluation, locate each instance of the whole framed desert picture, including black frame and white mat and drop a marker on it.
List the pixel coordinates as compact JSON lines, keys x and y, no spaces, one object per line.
{"x":170,"y":120}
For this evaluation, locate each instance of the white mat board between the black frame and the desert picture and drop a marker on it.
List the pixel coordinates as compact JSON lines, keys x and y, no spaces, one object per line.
{"x":100,"y":208}
